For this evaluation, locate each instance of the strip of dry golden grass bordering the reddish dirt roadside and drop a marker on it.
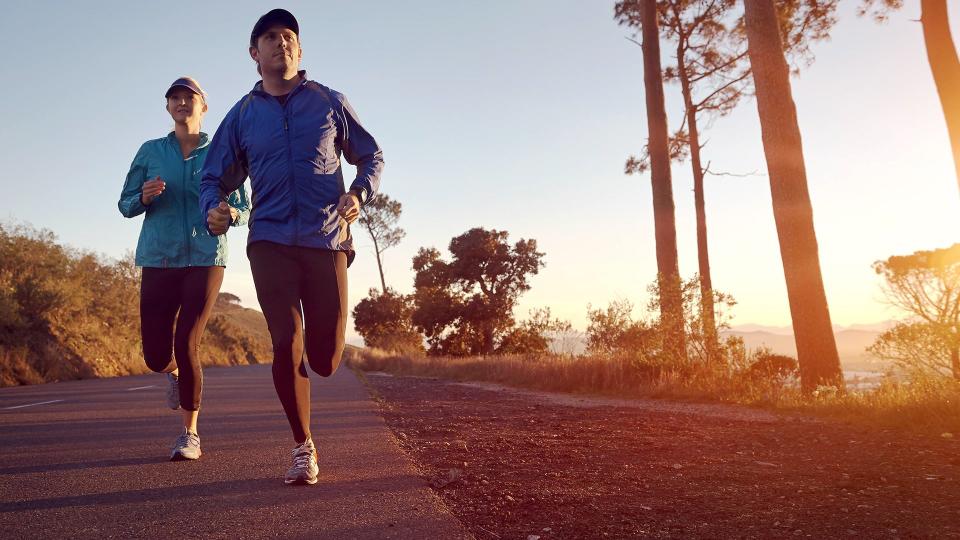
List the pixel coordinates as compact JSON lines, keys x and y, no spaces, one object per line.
{"x":924,"y":404}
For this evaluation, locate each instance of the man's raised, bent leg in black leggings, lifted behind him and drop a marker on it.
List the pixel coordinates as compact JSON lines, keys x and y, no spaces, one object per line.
{"x":324,"y":285}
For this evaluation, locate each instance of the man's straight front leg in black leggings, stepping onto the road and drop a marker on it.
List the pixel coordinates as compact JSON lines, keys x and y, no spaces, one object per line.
{"x":276,"y":276}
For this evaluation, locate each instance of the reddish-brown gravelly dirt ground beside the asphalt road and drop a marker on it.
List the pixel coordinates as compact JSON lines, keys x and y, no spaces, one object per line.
{"x":517,"y":464}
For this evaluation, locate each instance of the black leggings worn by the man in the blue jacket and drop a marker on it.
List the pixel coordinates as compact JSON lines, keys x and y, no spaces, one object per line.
{"x":301,"y":287}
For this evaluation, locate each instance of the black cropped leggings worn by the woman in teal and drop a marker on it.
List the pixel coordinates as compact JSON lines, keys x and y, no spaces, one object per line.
{"x":184,"y":296}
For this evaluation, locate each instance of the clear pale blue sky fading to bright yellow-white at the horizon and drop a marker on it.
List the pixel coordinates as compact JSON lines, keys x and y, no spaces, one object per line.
{"x":509,"y":115}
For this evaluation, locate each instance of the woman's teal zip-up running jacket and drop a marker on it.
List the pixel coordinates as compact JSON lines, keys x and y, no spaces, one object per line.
{"x":174,"y":234}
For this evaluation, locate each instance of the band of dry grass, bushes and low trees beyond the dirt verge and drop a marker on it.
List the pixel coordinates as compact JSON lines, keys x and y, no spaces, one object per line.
{"x":454,"y":327}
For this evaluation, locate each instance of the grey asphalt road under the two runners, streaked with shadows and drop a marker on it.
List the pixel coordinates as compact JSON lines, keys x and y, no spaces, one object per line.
{"x":89,"y":459}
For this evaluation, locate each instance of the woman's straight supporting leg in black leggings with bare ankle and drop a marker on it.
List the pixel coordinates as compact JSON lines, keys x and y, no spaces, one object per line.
{"x":197,"y":297}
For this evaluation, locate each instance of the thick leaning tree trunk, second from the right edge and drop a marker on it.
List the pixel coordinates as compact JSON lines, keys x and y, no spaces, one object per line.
{"x":816,"y":347}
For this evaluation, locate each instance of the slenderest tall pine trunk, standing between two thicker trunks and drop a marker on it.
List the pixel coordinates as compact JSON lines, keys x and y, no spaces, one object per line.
{"x":703,"y":255}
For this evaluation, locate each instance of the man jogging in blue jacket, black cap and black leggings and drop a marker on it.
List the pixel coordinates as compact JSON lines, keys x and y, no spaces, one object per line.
{"x":288,"y":135}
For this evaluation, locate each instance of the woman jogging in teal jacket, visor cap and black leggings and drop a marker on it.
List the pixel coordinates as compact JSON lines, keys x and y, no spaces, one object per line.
{"x":182,"y":263}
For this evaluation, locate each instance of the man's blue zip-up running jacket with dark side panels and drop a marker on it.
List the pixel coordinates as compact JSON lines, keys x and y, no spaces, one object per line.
{"x":291,"y":152}
